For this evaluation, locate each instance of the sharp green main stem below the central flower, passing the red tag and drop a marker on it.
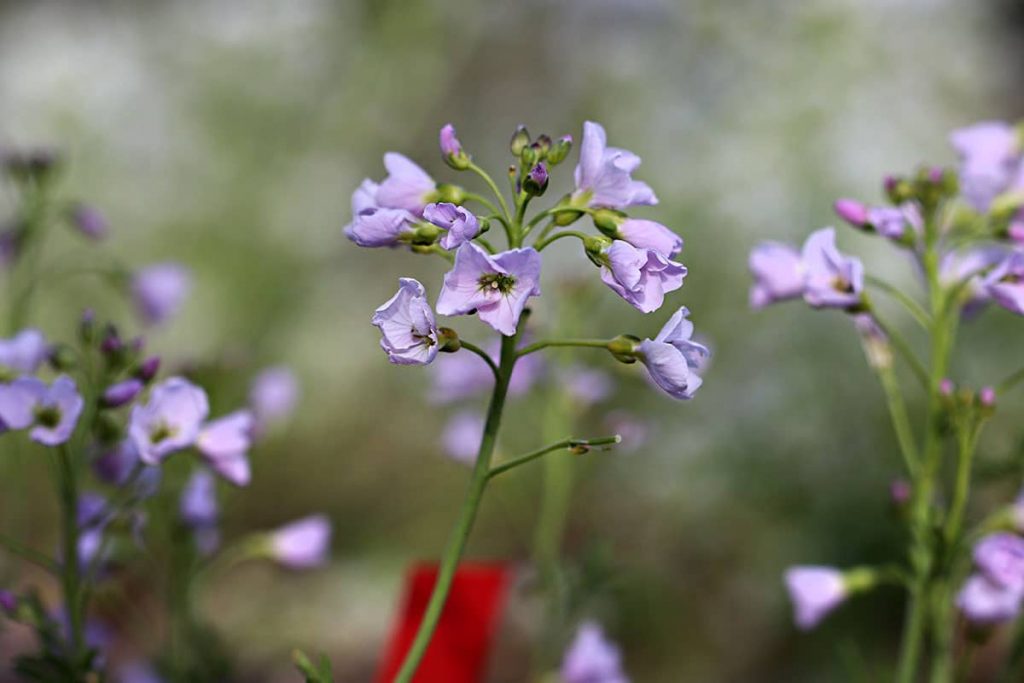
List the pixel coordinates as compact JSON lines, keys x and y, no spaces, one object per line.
{"x":457,"y":543}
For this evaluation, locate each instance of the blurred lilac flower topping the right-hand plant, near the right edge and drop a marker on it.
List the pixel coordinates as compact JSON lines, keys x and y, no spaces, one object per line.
{"x":991,"y":159}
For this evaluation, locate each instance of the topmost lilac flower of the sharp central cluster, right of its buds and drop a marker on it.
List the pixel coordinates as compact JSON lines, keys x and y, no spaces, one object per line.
{"x":604,"y":175}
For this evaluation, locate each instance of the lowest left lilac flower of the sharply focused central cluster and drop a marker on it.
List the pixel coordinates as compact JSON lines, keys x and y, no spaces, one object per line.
{"x":409,"y":331}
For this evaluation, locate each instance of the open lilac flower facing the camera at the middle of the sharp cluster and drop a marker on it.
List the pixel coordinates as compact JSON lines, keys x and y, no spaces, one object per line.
{"x":496,"y":287}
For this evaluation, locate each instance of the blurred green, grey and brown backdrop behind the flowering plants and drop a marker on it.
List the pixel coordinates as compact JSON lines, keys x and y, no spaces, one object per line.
{"x":230,"y":136}
